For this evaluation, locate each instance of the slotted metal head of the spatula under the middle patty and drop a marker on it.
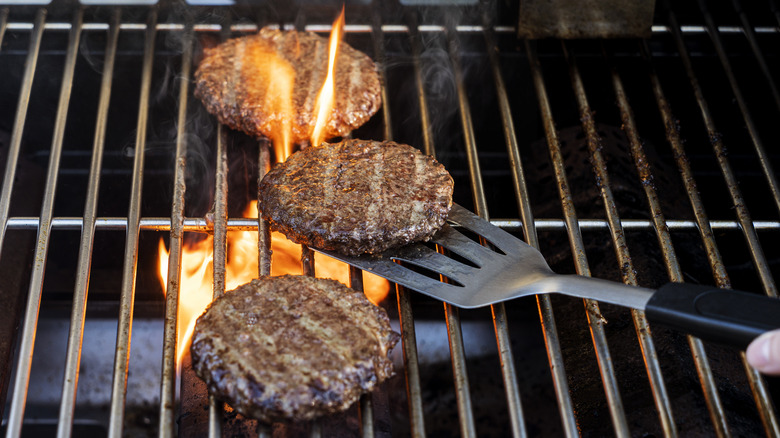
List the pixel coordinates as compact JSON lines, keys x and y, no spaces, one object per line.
{"x":475,"y":274}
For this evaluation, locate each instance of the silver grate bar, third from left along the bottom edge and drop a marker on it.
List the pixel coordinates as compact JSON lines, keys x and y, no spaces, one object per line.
{"x":130,"y":265}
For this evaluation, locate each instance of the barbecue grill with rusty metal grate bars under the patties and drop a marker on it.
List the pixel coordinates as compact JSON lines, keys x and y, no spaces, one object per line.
{"x":643,"y":161}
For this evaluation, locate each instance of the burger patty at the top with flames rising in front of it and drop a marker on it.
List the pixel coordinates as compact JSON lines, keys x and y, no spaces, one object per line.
{"x":240,"y":83}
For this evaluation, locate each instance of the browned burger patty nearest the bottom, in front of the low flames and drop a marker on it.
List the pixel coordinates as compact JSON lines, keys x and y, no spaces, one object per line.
{"x":292,"y":347}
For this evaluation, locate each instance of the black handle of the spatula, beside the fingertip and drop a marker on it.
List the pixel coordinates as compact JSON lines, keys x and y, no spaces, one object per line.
{"x":720,"y":315}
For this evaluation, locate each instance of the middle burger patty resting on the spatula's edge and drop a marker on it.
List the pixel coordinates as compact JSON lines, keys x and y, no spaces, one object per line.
{"x":357,"y":196}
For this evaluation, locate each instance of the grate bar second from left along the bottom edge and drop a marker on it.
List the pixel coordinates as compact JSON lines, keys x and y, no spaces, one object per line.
{"x":75,"y":336}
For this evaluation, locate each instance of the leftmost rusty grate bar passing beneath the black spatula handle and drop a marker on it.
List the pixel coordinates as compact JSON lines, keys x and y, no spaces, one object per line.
{"x":712,"y":398}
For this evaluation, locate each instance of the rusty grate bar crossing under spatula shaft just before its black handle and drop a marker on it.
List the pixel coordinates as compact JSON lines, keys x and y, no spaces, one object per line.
{"x":660,"y":395}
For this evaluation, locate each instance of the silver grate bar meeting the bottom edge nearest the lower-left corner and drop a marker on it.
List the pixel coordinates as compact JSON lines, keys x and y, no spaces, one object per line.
{"x":29,"y":328}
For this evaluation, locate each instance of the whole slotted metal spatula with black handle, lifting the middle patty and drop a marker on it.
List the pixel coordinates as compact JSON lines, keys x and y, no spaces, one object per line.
{"x":512,"y":269}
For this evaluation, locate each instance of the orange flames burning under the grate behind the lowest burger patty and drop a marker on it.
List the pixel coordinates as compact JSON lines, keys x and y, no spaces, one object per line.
{"x":197,"y":275}
